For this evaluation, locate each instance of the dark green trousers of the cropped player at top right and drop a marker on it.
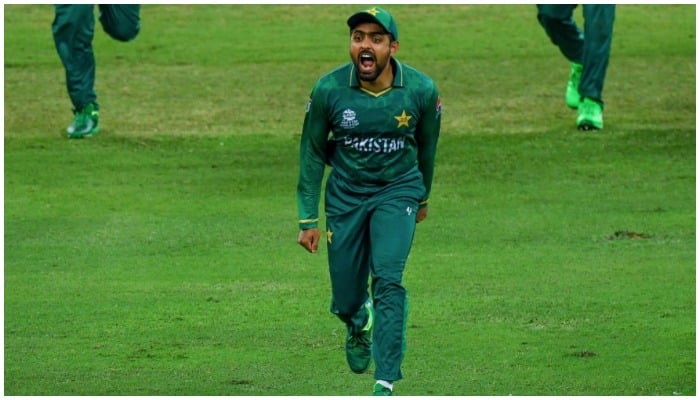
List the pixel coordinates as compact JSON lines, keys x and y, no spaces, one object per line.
{"x":590,"y":47}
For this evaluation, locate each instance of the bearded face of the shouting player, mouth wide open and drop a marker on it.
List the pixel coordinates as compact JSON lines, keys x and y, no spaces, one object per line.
{"x":370,"y":50}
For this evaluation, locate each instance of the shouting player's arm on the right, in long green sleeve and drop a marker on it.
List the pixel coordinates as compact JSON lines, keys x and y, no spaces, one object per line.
{"x":427,"y":133}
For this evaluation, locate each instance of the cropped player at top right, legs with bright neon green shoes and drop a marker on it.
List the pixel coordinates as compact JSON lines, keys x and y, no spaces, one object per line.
{"x":587,"y":50}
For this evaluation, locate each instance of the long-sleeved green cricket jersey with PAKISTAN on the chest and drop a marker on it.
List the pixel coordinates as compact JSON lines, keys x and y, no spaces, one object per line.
{"x":369,"y":139}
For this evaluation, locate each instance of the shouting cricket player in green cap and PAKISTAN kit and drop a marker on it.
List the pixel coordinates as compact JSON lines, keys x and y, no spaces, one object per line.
{"x":376,"y":122}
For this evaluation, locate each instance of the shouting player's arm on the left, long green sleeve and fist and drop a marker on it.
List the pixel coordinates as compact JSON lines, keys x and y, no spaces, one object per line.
{"x":312,"y":159}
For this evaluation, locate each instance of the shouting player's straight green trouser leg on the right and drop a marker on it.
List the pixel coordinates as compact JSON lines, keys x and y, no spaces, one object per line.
{"x":391,"y":229}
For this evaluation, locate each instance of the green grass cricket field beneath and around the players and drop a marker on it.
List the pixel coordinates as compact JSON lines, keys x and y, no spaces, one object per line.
{"x":160,"y":257}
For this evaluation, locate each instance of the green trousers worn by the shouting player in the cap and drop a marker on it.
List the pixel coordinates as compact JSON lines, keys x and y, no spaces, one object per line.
{"x":369,"y":235}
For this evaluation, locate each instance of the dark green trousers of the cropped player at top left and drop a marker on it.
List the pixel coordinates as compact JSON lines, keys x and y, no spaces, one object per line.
{"x":73,"y":29}
